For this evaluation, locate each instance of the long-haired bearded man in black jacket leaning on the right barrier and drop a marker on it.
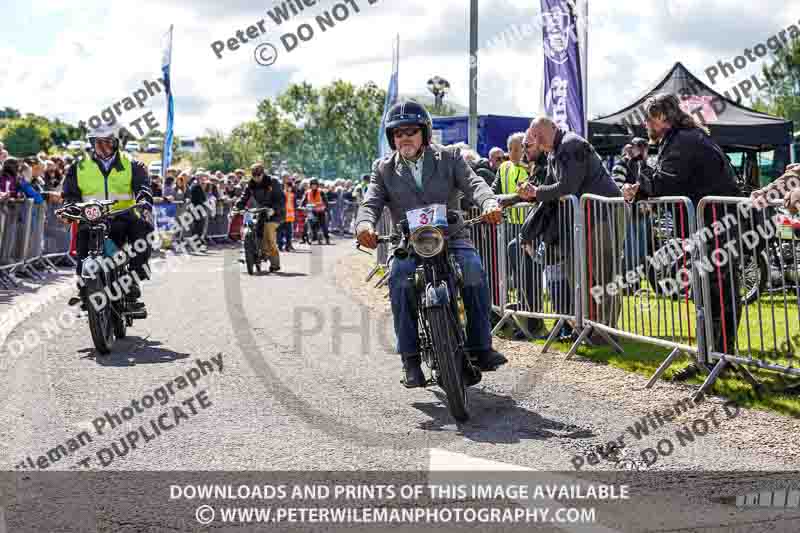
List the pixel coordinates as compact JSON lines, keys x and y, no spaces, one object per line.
{"x":690,"y":164}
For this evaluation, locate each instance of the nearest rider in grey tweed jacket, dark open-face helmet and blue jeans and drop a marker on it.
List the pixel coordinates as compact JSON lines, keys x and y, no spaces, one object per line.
{"x":419,"y":173}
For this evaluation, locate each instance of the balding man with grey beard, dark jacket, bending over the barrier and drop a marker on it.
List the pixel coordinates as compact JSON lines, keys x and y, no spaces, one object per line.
{"x":573,"y":167}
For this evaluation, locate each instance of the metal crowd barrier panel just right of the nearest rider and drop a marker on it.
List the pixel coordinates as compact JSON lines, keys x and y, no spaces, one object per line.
{"x":541,"y":279}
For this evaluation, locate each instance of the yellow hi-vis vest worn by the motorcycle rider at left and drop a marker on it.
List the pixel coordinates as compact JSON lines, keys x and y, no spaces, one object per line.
{"x":118,"y":186}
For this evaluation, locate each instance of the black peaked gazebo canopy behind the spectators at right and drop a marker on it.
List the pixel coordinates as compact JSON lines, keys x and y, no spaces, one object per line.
{"x":733,"y":127}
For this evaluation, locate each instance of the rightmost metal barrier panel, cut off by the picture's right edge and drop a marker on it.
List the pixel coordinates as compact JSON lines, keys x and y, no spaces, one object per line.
{"x":750,"y":267}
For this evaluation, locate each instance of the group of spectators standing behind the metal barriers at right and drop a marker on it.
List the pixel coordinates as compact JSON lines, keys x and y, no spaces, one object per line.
{"x":544,"y":163}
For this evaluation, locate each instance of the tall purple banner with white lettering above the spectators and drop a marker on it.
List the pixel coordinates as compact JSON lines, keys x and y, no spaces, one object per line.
{"x":563,"y":83}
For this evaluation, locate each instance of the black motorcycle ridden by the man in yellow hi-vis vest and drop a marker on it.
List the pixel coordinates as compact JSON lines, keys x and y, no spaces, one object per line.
{"x":102,"y":275}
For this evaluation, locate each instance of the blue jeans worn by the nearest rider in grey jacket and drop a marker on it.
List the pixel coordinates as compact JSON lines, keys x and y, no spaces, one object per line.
{"x":475,"y":294}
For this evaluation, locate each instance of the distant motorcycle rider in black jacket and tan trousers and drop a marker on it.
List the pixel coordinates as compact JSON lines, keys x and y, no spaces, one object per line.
{"x":266,"y":192}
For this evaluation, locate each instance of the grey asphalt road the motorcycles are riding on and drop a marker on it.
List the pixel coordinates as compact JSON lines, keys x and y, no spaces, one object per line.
{"x":290,"y":372}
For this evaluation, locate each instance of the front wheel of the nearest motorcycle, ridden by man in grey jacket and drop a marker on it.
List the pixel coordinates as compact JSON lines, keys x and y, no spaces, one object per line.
{"x":450,"y":359}
